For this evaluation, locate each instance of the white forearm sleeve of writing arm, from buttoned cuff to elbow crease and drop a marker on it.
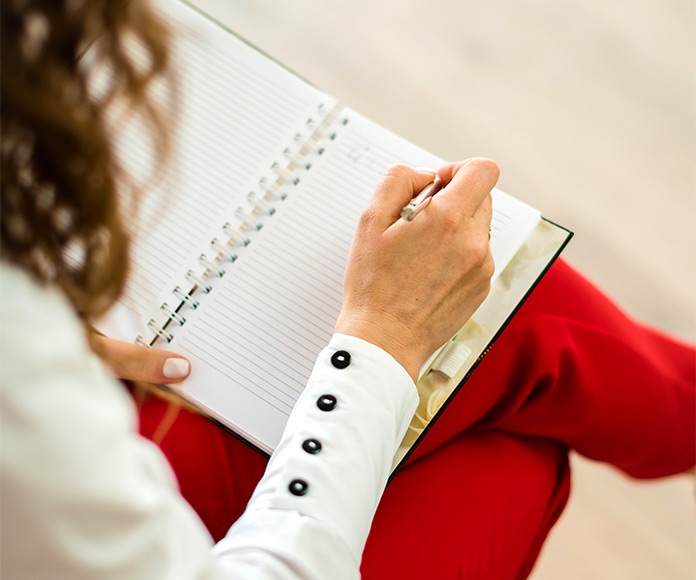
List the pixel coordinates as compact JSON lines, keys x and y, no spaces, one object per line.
{"x":311,"y":513}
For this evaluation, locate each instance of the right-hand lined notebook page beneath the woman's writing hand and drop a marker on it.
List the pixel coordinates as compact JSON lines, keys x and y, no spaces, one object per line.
{"x":254,"y":339}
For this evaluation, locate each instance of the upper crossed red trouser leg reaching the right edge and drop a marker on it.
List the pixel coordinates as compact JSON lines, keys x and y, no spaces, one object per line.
{"x":572,"y":367}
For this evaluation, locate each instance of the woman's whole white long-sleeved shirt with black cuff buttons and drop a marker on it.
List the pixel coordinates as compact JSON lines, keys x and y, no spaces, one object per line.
{"x":84,"y":496}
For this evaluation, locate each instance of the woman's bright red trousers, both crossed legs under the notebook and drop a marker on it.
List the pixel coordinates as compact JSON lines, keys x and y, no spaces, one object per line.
{"x":490,"y":479}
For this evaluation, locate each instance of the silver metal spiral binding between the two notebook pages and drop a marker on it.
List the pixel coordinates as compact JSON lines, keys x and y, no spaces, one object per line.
{"x":260,"y":204}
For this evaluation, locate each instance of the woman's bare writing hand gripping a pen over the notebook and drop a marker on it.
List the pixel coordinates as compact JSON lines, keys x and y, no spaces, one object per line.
{"x":410,"y":286}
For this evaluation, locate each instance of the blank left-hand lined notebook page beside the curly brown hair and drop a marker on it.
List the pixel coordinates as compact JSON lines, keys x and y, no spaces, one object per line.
{"x":238,"y":112}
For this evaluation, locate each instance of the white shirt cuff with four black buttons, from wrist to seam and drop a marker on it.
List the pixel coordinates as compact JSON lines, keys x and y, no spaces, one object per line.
{"x":336,"y":452}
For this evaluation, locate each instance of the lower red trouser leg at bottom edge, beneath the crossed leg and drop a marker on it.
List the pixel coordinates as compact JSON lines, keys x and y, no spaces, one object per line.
{"x":479,"y":506}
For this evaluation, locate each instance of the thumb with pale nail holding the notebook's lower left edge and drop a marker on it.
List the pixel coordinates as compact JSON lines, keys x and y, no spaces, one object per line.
{"x":139,"y":363}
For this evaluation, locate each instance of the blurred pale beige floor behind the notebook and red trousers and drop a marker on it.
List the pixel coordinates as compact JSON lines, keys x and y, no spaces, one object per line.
{"x":589,"y":108}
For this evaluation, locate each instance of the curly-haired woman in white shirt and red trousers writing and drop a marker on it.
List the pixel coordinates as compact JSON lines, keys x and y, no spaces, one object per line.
{"x":85,"y":496}
